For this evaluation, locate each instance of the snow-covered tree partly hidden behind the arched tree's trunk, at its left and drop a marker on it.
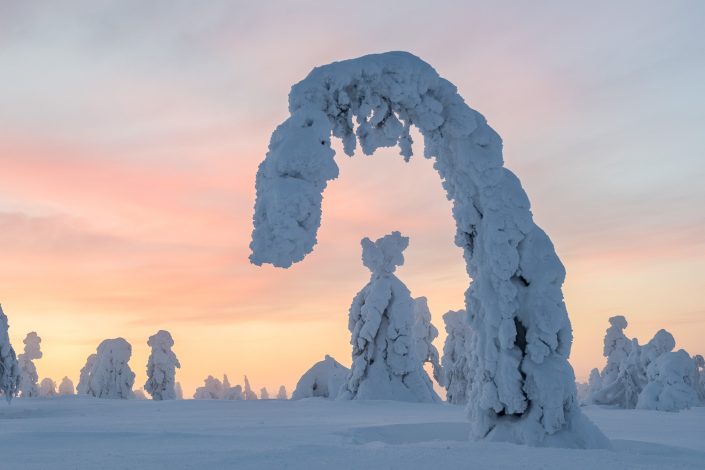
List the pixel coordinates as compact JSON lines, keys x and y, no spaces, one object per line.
{"x":456,"y":357}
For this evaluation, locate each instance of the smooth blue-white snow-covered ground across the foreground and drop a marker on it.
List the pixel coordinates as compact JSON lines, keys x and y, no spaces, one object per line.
{"x":87,"y":433}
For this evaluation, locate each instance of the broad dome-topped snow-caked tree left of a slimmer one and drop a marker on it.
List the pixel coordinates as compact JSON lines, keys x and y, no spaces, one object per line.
{"x":111,"y":376}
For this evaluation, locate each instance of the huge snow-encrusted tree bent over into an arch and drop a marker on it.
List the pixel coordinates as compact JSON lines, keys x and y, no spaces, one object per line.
{"x":525,"y":391}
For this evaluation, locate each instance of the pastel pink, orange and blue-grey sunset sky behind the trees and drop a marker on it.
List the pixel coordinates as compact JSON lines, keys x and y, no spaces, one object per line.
{"x":130,"y":137}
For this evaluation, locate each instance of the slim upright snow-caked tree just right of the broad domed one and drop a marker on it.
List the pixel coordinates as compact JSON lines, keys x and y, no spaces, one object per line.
{"x":161,"y":367}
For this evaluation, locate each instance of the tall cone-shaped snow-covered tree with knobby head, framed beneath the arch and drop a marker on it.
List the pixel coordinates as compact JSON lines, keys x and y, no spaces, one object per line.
{"x":385,"y":361}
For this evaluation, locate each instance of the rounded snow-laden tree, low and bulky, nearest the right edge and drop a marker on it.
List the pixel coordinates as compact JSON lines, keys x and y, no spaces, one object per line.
{"x":671,"y":383}
